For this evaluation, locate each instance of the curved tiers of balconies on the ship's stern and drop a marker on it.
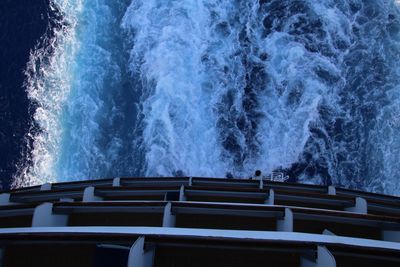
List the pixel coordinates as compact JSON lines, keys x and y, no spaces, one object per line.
{"x":193,"y":221}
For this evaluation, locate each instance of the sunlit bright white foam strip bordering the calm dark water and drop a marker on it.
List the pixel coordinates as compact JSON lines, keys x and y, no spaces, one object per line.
{"x":49,"y":75}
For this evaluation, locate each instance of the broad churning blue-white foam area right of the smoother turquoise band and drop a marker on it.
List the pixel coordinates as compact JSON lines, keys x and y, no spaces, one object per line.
{"x":283,"y":83}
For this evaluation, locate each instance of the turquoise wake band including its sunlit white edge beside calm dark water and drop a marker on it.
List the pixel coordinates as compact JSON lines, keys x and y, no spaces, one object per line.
{"x":78,"y":88}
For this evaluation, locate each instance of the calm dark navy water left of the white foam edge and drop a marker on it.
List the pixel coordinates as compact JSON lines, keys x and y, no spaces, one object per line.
{"x":22,"y":25}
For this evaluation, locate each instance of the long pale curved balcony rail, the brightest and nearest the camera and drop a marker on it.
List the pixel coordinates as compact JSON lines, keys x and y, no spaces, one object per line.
{"x":244,"y":235}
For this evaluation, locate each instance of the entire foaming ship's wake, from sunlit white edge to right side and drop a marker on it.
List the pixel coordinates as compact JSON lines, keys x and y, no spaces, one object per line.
{"x":206,"y":87}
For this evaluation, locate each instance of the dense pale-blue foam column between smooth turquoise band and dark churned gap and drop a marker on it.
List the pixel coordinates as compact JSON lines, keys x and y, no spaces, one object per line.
{"x":171,"y":38}
